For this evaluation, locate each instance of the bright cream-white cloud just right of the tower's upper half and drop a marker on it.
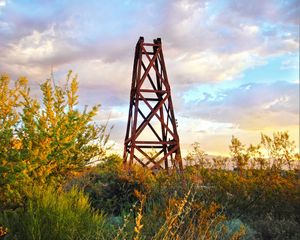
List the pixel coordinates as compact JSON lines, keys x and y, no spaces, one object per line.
{"x":212,"y":67}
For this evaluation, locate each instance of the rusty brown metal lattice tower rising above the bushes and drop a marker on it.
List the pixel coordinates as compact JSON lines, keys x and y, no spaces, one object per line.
{"x":151,"y":136}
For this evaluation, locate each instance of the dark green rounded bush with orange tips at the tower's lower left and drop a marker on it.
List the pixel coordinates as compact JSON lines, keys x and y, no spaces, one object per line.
{"x":110,"y":188}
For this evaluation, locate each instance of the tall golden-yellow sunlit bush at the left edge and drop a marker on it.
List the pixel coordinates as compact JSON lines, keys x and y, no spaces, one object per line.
{"x":43,"y":142}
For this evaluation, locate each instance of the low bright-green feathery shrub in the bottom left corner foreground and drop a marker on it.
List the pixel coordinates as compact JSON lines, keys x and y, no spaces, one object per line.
{"x":49,"y":214}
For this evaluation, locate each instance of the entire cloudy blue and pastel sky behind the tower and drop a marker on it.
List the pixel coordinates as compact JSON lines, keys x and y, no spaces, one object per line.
{"x":233,"y":66}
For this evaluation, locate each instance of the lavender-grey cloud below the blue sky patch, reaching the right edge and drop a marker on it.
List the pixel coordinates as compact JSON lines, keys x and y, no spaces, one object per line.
{"x":251,"y":106}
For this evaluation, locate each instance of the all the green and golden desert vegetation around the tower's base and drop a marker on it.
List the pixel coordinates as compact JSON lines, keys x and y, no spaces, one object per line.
{"x":48,"y":190}
